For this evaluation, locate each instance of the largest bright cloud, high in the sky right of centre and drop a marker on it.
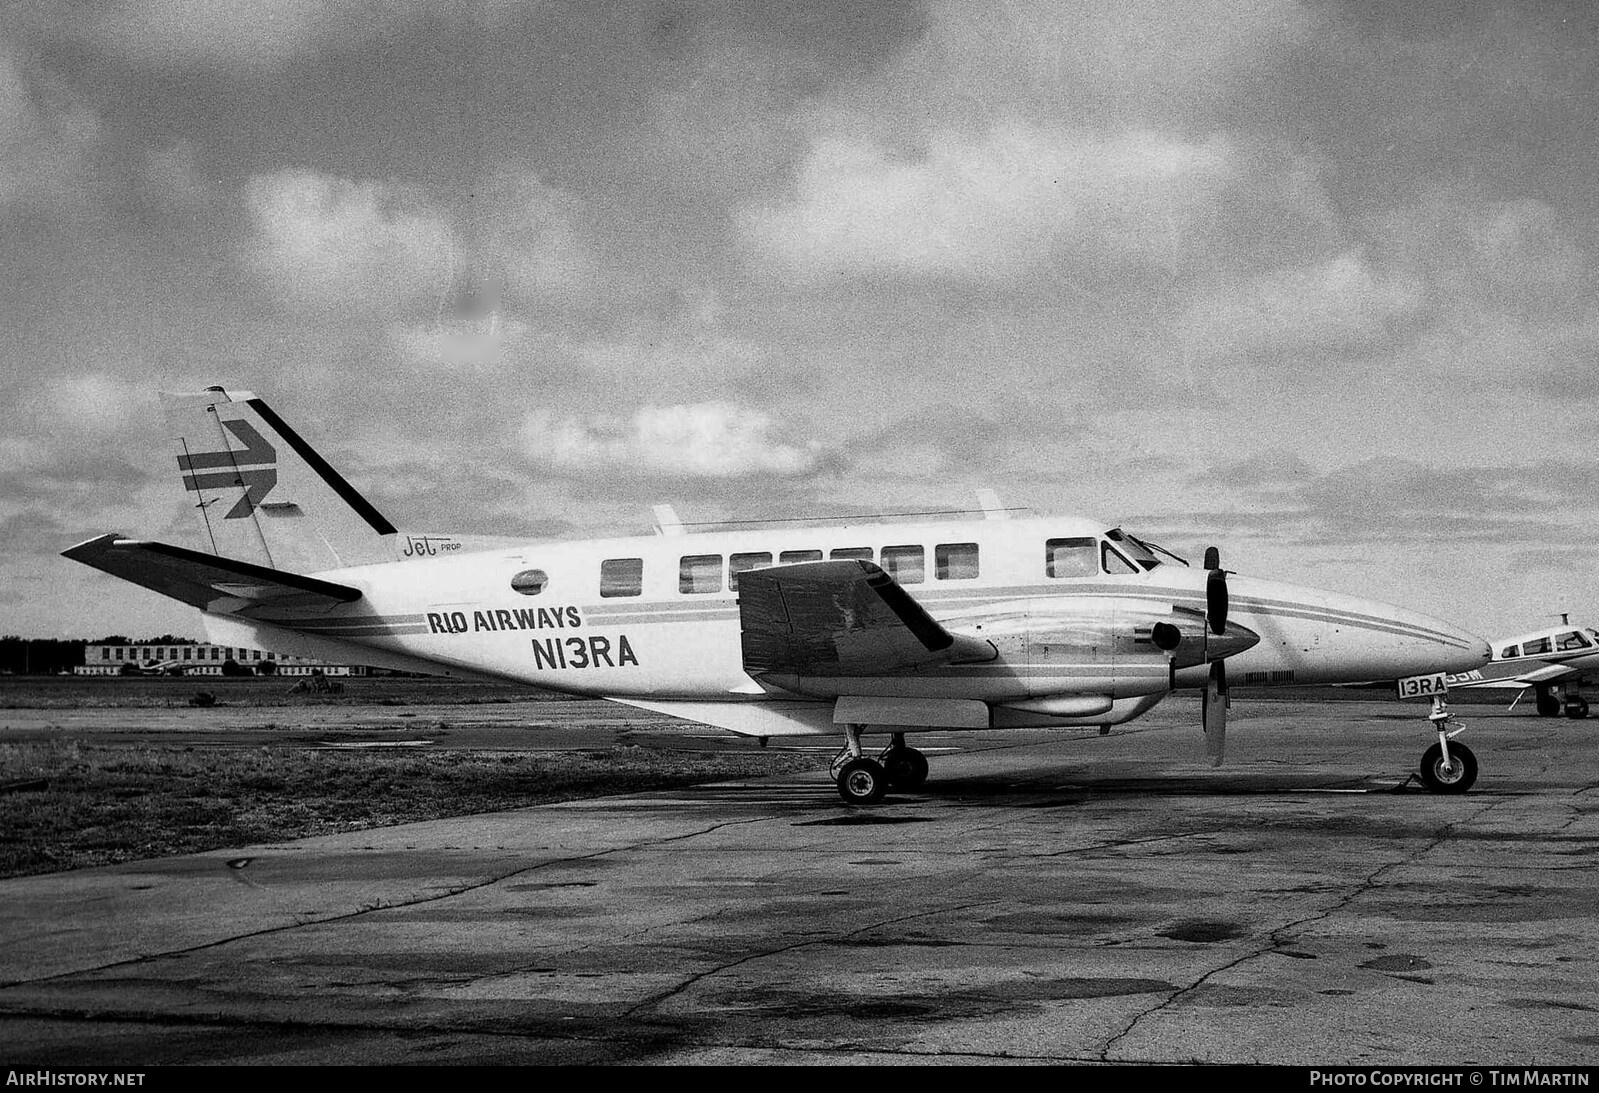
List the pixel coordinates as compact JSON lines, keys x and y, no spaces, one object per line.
{"x":995,"y":205}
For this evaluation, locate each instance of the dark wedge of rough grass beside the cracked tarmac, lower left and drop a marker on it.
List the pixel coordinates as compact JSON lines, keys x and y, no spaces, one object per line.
{"x":103,"y":805}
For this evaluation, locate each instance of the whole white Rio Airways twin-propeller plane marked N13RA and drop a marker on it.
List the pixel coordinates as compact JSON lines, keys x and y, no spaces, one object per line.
{"x":767,"y":632}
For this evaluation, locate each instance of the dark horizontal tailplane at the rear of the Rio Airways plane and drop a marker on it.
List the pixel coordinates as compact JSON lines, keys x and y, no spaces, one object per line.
{"x":207,"y":581}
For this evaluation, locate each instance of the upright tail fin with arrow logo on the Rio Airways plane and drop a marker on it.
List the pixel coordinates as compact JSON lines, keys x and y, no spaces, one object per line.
{"x":265,"y":496}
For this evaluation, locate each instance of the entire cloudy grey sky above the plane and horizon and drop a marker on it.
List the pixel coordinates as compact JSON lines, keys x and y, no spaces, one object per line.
{"x":1309,"y":280}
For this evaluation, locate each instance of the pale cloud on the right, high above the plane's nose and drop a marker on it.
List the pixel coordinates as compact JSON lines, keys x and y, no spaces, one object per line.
{"x":1339,"y":306}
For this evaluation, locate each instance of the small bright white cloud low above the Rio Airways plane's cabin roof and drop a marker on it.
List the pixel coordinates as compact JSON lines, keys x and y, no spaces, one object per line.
{"x":704,"y":440}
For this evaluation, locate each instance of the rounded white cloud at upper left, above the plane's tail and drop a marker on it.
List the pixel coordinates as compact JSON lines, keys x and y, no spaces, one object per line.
{"x":325,"y":242}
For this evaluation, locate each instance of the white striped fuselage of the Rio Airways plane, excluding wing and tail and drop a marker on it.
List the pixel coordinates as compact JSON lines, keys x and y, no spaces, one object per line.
{"x":655,"y":618}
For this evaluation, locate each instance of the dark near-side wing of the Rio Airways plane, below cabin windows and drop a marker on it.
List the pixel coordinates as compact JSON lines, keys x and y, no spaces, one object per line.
{"x":840,"y":619}
